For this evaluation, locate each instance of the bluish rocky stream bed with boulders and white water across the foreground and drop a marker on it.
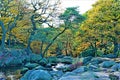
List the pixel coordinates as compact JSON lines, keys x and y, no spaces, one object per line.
{"x":33,"y":67}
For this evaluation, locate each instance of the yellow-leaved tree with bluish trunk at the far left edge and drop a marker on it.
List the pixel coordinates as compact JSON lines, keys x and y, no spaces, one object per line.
{"x":8,"y":17}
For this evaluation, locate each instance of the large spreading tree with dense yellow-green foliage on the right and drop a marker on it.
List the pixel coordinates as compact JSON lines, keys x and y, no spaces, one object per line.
{"x":102,"y":24}
